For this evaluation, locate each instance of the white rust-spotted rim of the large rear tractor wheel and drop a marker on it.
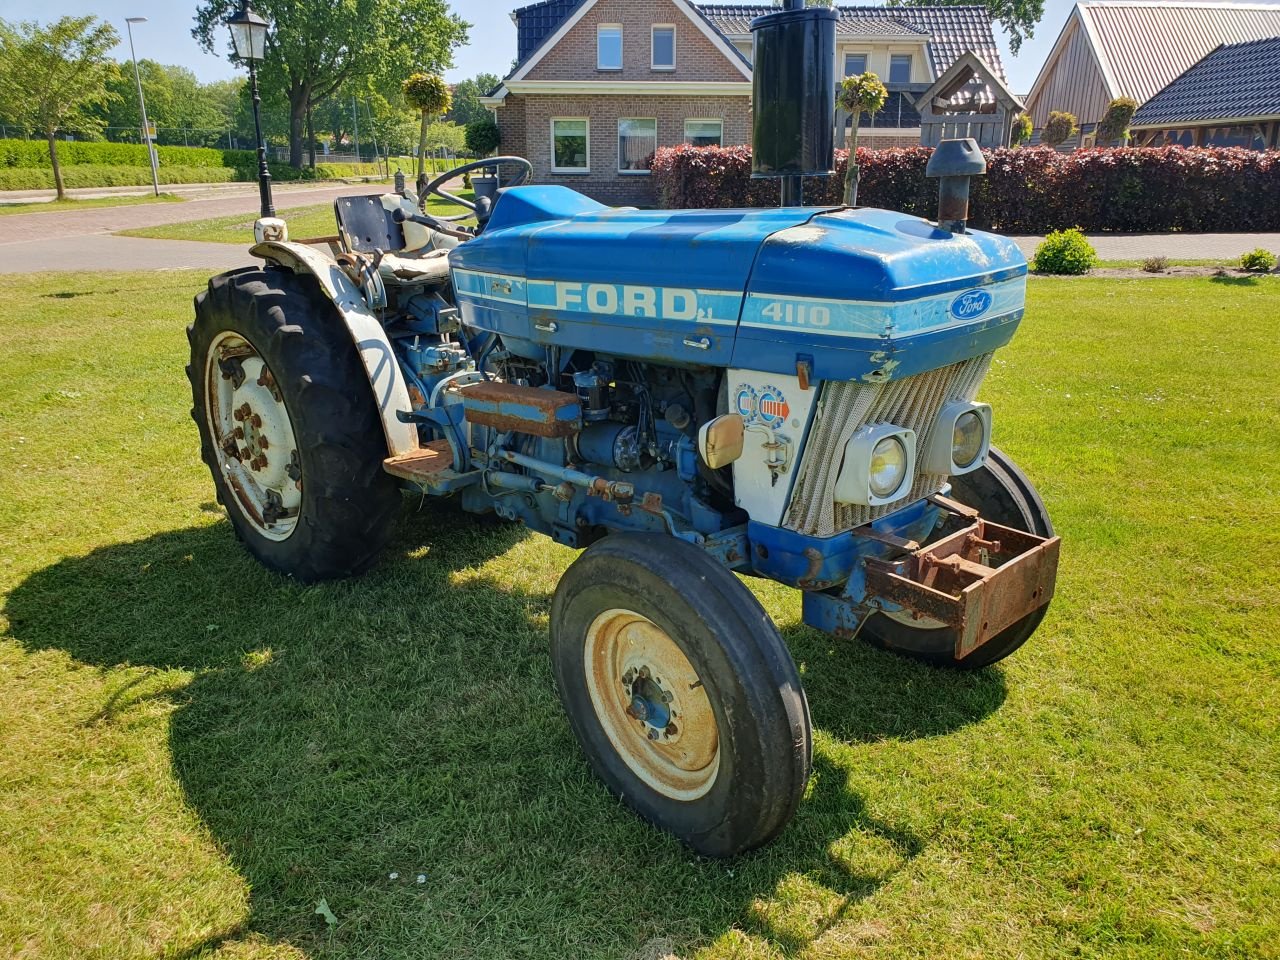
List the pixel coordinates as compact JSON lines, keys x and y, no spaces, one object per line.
{"x":253,"y":437}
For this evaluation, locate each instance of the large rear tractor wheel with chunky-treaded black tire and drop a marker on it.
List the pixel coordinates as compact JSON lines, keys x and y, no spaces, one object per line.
{"x":289,"y":426}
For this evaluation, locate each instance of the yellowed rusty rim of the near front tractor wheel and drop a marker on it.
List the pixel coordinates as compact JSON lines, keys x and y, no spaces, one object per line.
{"x":652,"y":705}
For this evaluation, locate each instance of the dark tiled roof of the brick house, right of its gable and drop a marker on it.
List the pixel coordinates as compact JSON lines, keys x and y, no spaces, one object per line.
{"x":952,"y":30}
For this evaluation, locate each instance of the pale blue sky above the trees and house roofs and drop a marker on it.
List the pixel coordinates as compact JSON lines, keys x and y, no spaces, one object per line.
{"x":167,"y":35}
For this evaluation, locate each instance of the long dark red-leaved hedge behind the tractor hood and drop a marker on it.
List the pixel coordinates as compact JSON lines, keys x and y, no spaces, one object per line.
{"x":1032,"y":190}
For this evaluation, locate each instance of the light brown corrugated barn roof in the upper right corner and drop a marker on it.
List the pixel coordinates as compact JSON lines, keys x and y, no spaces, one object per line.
{"x":1144,"y":47}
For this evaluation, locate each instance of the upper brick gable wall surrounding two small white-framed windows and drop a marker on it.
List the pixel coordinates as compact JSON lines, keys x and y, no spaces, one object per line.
{"x":574,"y":57}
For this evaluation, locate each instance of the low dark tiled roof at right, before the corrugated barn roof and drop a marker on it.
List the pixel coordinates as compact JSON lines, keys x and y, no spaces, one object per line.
{"x":1237,"y":81}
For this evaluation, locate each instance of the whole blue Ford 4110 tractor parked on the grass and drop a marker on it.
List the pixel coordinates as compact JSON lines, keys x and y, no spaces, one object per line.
{"x":688,"y":396}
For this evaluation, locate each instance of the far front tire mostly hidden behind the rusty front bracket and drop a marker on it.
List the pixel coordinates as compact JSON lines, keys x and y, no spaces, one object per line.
{"x":1002,"y":493}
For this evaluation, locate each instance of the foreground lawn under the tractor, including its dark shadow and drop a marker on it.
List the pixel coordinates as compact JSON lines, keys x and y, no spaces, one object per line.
{"x":195,"y":752}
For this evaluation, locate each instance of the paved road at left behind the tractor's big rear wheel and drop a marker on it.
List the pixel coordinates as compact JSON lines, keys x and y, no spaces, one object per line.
{"x":75,"y":241}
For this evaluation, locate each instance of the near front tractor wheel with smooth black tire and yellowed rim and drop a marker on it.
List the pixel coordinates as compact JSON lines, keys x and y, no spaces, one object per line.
{"x":682,"y":692}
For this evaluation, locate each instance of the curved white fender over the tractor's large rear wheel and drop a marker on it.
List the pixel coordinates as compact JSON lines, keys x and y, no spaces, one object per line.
{"x":376,"y":350}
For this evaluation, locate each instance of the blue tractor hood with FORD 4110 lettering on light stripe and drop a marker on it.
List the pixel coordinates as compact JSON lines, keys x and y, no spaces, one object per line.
{"x":857,"y":294}
